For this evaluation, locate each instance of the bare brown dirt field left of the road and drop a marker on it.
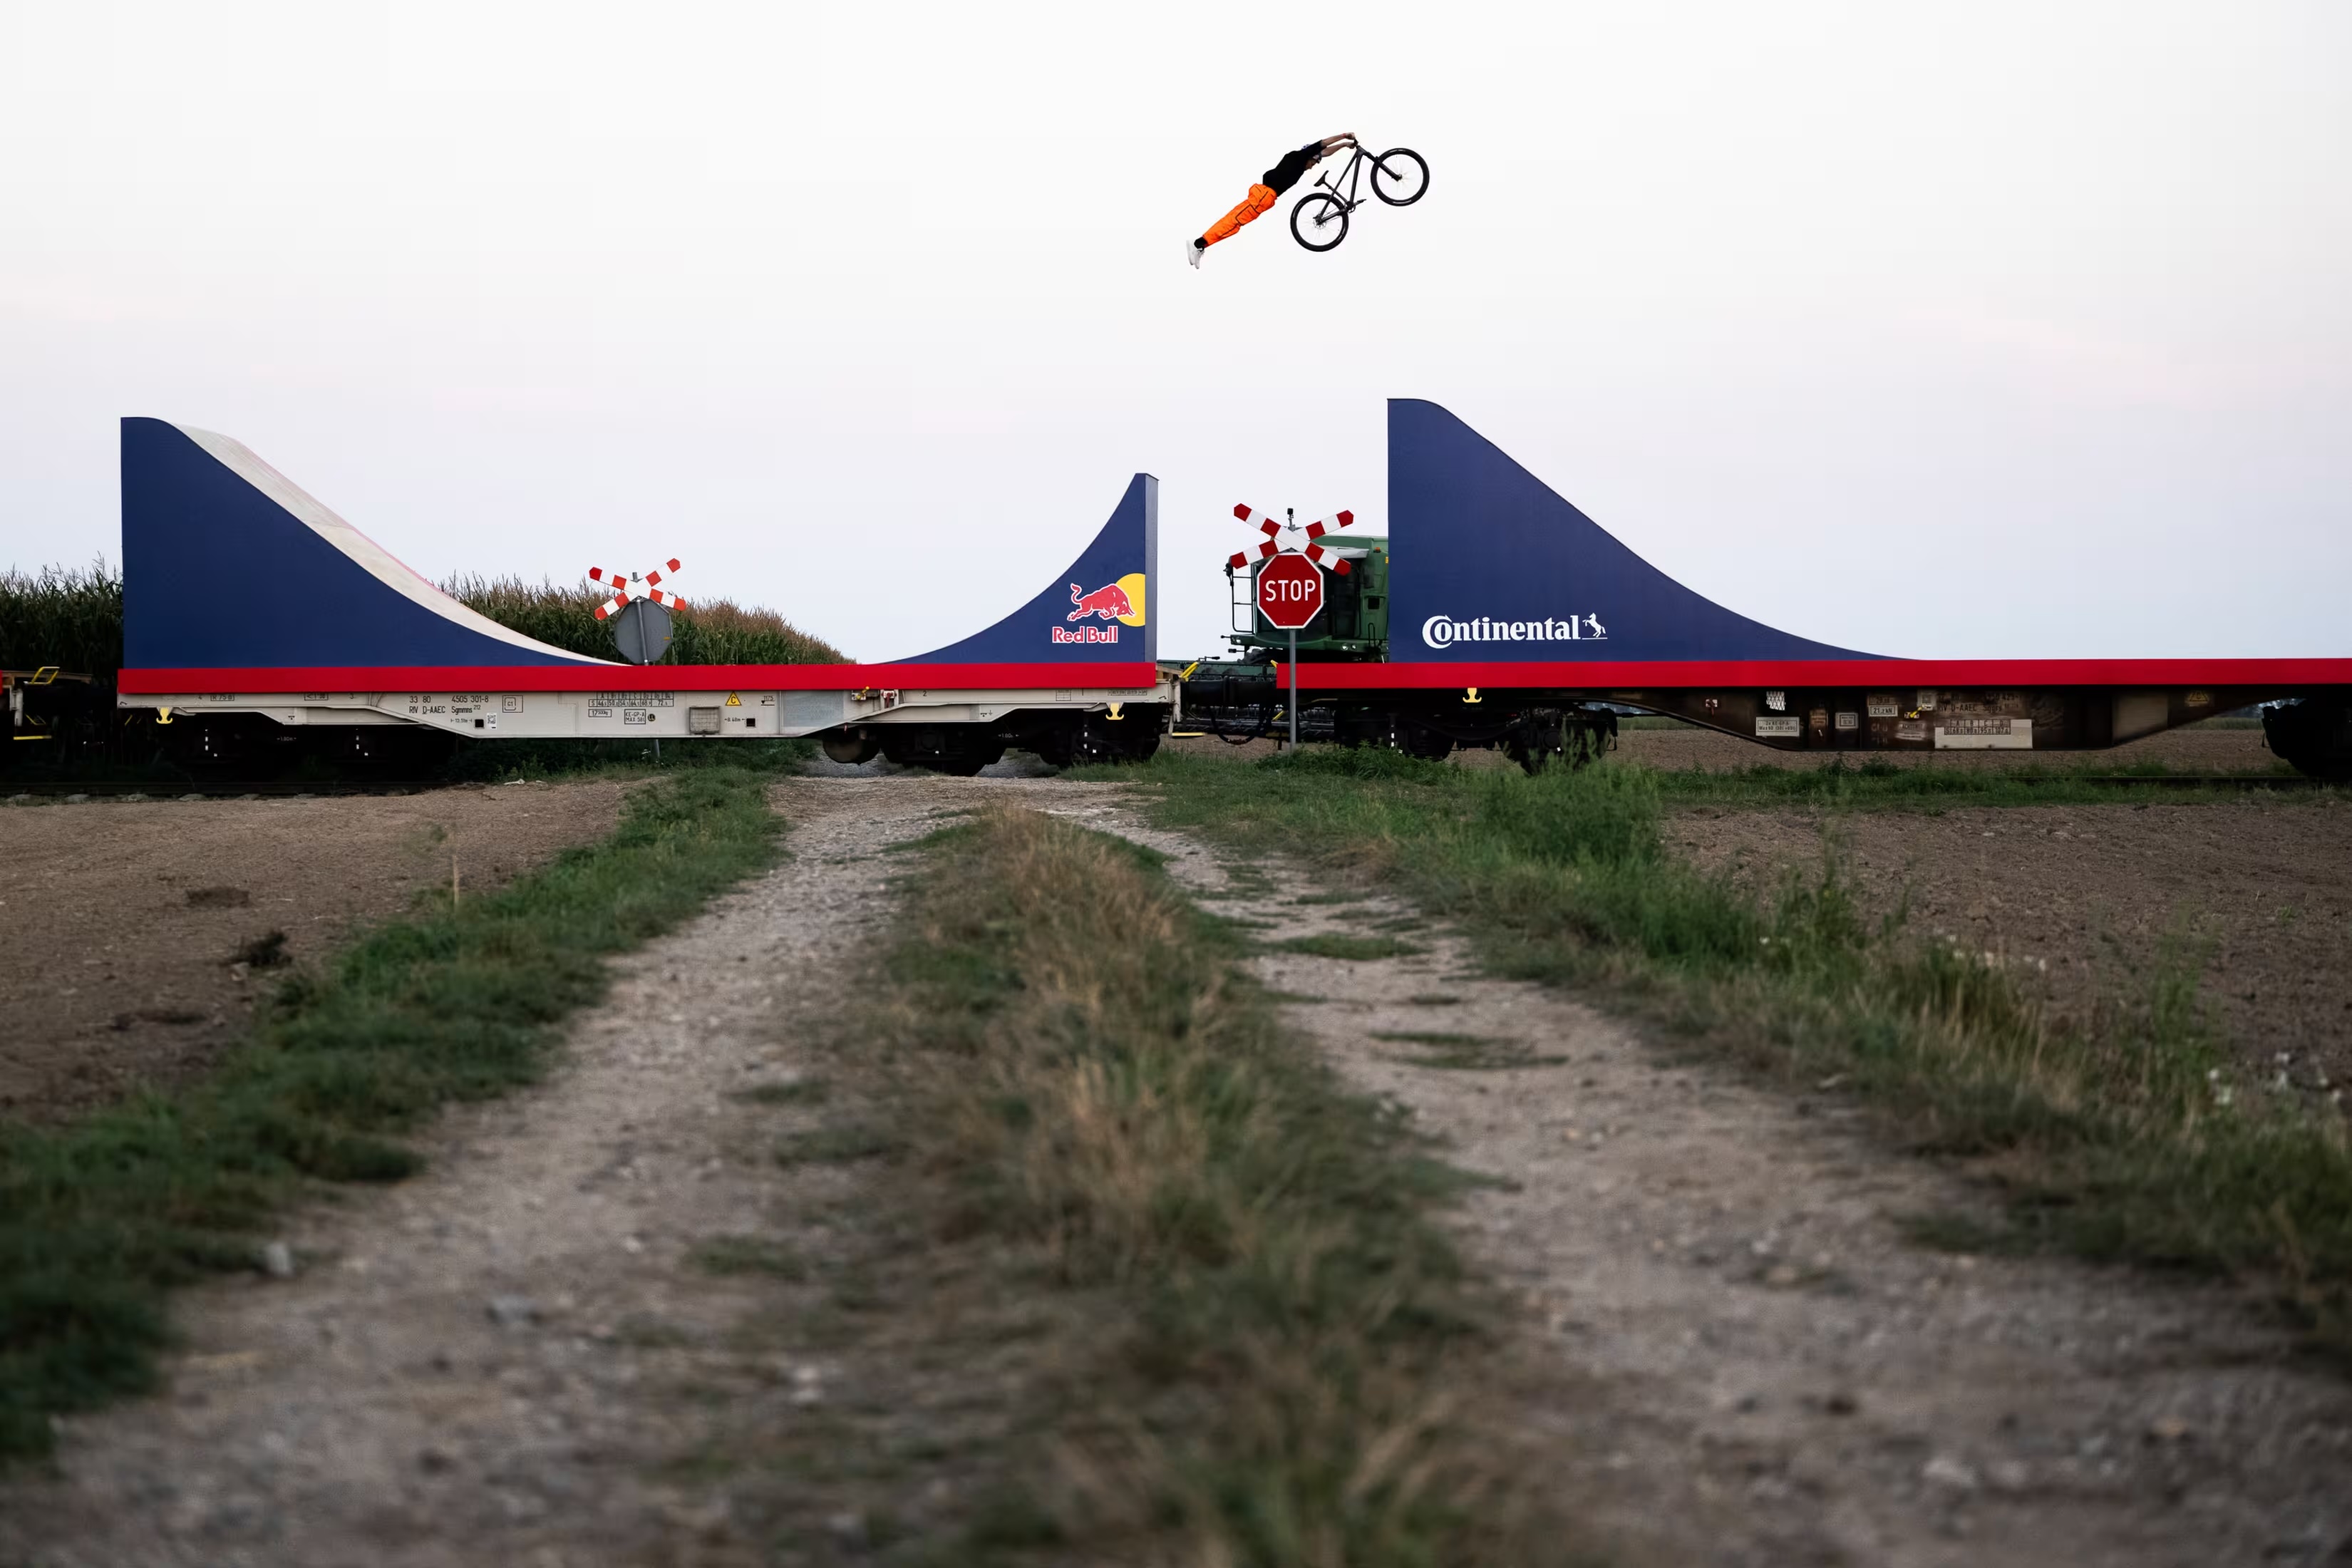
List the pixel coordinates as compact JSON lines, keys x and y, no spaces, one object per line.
{"x":123,"y":923}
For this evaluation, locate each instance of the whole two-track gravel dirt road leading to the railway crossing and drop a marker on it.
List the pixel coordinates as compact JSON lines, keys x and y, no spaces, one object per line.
{"x":516,"y":1360}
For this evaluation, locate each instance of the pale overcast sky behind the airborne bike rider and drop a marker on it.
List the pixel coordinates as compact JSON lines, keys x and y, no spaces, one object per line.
{"x":1942,"y":330}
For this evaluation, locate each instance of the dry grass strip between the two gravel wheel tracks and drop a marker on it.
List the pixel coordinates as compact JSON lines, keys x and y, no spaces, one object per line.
{"x":1288,"y":1362}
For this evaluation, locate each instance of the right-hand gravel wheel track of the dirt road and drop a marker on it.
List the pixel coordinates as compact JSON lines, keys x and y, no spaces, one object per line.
{"x":1742,"y":1358}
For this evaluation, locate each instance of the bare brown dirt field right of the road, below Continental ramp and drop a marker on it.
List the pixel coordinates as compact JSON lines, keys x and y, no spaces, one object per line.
{"x":2083,"y":899}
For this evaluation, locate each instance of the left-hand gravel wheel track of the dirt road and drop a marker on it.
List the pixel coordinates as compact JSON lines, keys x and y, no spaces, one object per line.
{"x":509,"y":1358}
